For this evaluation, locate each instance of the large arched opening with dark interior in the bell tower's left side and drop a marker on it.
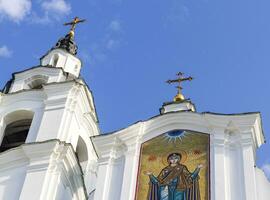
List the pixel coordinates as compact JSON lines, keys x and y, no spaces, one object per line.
{"x":17,"y":125}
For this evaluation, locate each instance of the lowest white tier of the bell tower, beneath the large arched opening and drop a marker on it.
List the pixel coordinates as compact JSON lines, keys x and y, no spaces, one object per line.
{"x":46,"y":171}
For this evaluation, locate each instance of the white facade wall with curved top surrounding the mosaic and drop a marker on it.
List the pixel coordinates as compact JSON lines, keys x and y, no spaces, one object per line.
{"x":233,"y":141}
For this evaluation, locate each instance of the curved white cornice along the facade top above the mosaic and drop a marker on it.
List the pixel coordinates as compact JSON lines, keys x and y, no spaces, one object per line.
{"x":199,"y":122}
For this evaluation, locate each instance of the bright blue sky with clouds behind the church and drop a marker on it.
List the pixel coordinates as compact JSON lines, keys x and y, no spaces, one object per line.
{"x":130,"y":48}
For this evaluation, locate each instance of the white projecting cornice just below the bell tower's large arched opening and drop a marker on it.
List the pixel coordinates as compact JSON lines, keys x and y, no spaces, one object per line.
{"x":47,"y":155}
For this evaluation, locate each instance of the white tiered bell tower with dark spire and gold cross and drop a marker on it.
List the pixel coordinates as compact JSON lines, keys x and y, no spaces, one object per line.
{"x":47,"y":116}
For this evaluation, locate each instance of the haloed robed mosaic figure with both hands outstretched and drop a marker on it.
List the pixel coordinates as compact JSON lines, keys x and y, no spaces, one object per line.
{"x":174,"y":182}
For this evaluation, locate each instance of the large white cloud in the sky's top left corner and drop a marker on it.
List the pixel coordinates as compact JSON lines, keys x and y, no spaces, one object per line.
{"x":15,"y":10}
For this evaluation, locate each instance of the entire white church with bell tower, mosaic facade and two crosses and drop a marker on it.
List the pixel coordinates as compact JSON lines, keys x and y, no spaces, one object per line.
{"x":52,"y":148}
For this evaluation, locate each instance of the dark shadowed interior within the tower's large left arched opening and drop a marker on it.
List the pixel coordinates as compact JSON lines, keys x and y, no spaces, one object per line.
{"x":15,"y":134}
